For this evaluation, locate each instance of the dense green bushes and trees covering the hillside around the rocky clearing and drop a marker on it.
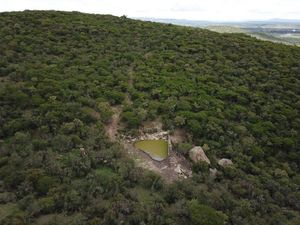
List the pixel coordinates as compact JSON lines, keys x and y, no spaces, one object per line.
{"x":60,"y":75}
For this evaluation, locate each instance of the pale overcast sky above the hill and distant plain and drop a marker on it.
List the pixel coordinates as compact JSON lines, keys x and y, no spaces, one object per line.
{"x":226,"y":10}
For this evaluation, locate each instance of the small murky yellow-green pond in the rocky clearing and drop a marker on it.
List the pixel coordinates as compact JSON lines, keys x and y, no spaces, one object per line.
{"x":156,"y":149}
